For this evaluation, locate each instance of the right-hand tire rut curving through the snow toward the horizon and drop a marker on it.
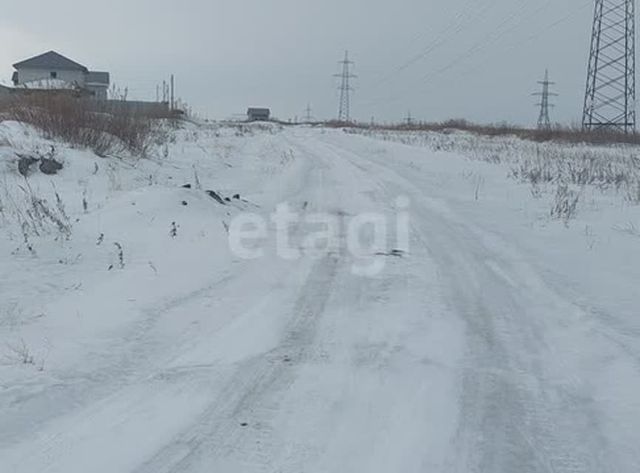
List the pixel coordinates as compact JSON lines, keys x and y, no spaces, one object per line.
{"x":511,"y":419}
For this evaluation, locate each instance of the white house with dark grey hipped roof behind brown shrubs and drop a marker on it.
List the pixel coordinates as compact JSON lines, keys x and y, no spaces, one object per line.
{"x":53,"y":70}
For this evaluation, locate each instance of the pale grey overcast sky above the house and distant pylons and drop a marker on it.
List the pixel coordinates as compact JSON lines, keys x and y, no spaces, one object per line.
{"x":474,"y":59}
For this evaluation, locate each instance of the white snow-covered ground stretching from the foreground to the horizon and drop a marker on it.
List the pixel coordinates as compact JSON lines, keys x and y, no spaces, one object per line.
{"x":502,"y":336}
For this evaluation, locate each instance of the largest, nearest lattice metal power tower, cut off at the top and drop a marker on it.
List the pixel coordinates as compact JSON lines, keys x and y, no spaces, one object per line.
{"x":610,"y":96}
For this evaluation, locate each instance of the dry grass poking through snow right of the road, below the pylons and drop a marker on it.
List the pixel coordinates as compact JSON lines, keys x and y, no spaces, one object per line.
{"x":563,"y":168}
